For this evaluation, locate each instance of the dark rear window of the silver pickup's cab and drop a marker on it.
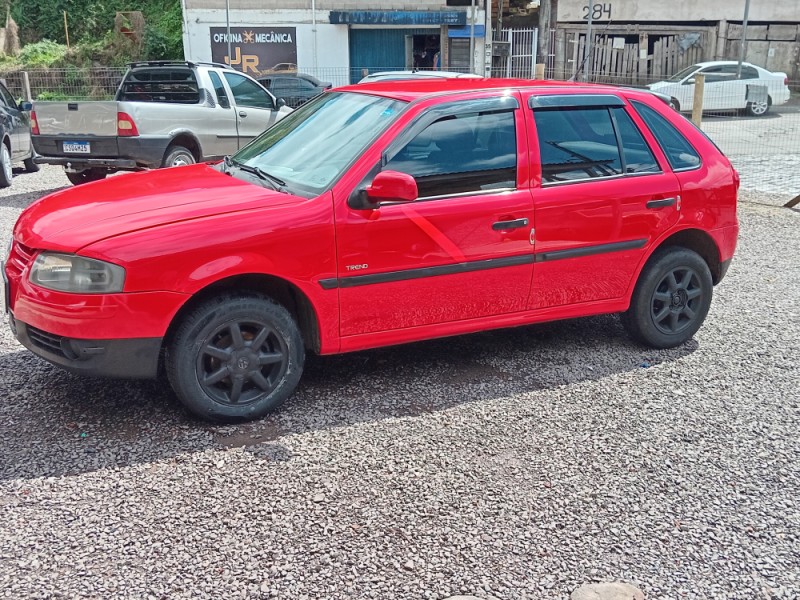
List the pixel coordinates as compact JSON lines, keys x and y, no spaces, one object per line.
{"x":172,"y":85}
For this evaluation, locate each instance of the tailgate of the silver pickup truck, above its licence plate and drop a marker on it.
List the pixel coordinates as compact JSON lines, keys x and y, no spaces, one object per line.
{"x":93,"y":119}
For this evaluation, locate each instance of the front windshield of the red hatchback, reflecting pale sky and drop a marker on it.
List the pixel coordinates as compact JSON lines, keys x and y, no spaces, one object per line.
{"x":310,"y":148}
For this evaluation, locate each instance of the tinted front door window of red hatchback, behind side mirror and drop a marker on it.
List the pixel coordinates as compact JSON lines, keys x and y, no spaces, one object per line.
{"x":461,"y":153}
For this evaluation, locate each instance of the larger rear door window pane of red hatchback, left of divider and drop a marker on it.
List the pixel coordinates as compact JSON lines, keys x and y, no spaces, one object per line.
{"x":576,"y":144}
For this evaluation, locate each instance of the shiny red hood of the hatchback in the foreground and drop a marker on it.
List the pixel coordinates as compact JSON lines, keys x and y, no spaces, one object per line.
{"x":68,"y":220}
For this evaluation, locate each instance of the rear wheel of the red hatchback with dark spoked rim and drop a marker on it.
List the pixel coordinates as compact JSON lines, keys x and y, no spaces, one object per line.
{"x":671,"y":298}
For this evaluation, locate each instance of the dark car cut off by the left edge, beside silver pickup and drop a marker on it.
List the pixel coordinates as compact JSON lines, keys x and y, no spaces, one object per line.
{"x":15,"y":135}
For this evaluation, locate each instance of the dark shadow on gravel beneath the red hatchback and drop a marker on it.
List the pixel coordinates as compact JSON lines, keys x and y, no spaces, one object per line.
{"x":54,"y":423}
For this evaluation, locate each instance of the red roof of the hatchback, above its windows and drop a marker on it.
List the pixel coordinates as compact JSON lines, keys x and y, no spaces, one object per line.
{"x":409,"y":90}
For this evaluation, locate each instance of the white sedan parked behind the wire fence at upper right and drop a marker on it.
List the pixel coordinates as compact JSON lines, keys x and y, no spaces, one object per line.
{"x":723,"y":90}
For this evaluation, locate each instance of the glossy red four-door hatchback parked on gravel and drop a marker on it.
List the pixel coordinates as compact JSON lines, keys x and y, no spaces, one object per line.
{"x":379,"y":214}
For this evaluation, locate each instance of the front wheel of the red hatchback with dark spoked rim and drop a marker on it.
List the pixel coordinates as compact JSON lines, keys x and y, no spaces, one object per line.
{"x":214,"y":368}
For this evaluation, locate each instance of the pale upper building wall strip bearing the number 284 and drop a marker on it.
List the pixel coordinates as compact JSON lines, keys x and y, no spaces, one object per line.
{"x":641,"y":11}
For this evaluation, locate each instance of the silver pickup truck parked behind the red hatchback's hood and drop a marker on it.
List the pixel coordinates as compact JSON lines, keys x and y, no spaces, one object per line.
{"x":164,"y":114}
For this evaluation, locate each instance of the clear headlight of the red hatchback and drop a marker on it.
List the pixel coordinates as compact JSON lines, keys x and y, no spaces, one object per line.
{"x":76,"y":274}
